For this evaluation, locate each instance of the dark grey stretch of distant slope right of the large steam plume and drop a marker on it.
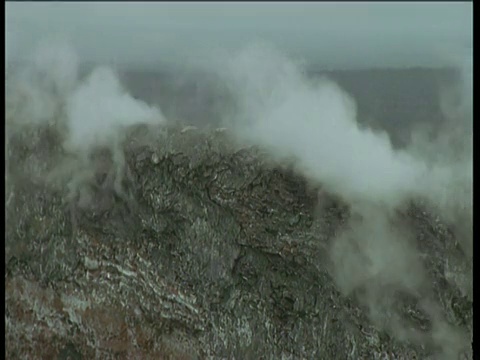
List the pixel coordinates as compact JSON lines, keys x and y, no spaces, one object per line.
{"x":396,"y":99}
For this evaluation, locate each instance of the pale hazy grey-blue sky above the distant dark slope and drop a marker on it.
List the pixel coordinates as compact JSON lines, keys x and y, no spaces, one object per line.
{"x":336,"y":34}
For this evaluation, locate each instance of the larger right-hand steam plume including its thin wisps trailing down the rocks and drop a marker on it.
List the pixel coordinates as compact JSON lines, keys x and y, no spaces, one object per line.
{"x":314,"y":121}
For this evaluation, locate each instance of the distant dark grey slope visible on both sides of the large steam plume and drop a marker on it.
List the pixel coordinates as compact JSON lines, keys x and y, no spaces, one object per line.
{"x":391,"y":99}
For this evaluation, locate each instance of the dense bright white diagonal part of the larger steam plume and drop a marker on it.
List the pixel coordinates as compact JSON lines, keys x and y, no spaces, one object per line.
{"x":315,"y":121}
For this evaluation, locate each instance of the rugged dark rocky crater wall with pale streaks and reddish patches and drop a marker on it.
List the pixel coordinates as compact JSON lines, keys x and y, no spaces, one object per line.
{"x":214,"y":252}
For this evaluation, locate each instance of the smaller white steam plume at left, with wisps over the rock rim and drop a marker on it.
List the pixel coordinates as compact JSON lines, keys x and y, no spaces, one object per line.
{"x":87,"y":115}
